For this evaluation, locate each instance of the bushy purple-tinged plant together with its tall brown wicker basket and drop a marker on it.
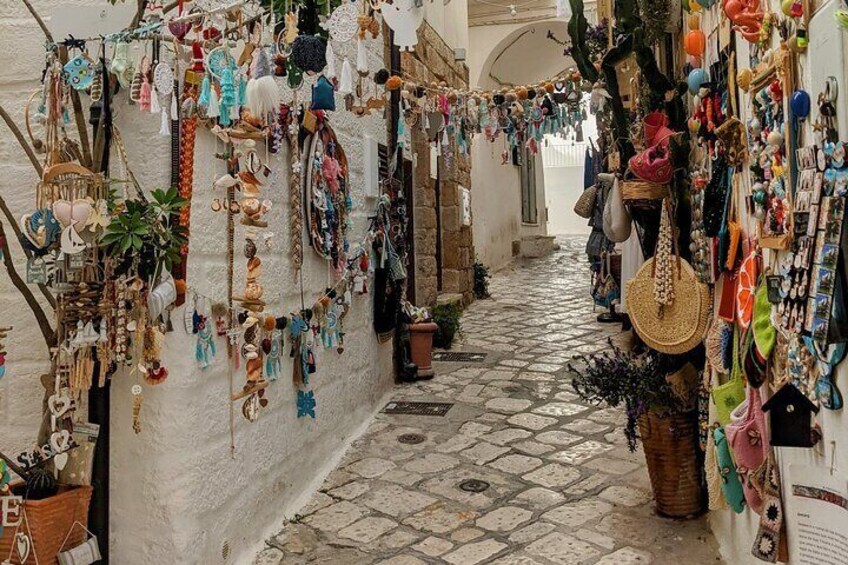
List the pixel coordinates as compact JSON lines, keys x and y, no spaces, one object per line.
{"x":659,"y":394}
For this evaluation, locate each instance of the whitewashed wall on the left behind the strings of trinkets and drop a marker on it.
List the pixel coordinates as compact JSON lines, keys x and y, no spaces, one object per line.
{"x":177,"y":492}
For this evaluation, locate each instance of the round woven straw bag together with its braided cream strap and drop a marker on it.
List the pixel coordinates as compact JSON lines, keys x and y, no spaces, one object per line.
{"x":668,"y":306}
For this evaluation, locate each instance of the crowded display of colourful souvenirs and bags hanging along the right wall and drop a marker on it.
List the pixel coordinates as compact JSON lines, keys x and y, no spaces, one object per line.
{"x":730,"y":174}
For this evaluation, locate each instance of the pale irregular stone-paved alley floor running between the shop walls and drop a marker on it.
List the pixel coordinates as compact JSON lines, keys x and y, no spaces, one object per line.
{"x":557,"y":482}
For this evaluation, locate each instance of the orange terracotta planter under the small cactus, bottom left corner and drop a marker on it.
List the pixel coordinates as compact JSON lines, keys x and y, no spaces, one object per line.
{"x":49,"y":522}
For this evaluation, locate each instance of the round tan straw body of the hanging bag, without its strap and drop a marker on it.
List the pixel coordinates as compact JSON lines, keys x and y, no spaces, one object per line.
{"x":672,"y":329}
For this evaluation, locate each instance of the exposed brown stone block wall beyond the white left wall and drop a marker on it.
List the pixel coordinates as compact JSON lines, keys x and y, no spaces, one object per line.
{"x":433,"y":61}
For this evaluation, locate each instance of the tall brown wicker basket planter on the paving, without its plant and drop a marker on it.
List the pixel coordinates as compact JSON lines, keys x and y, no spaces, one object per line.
{"x":674,"y":462}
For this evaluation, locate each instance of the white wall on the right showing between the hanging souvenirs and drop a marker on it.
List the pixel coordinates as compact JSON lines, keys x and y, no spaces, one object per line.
{"x":735,"y":533}
